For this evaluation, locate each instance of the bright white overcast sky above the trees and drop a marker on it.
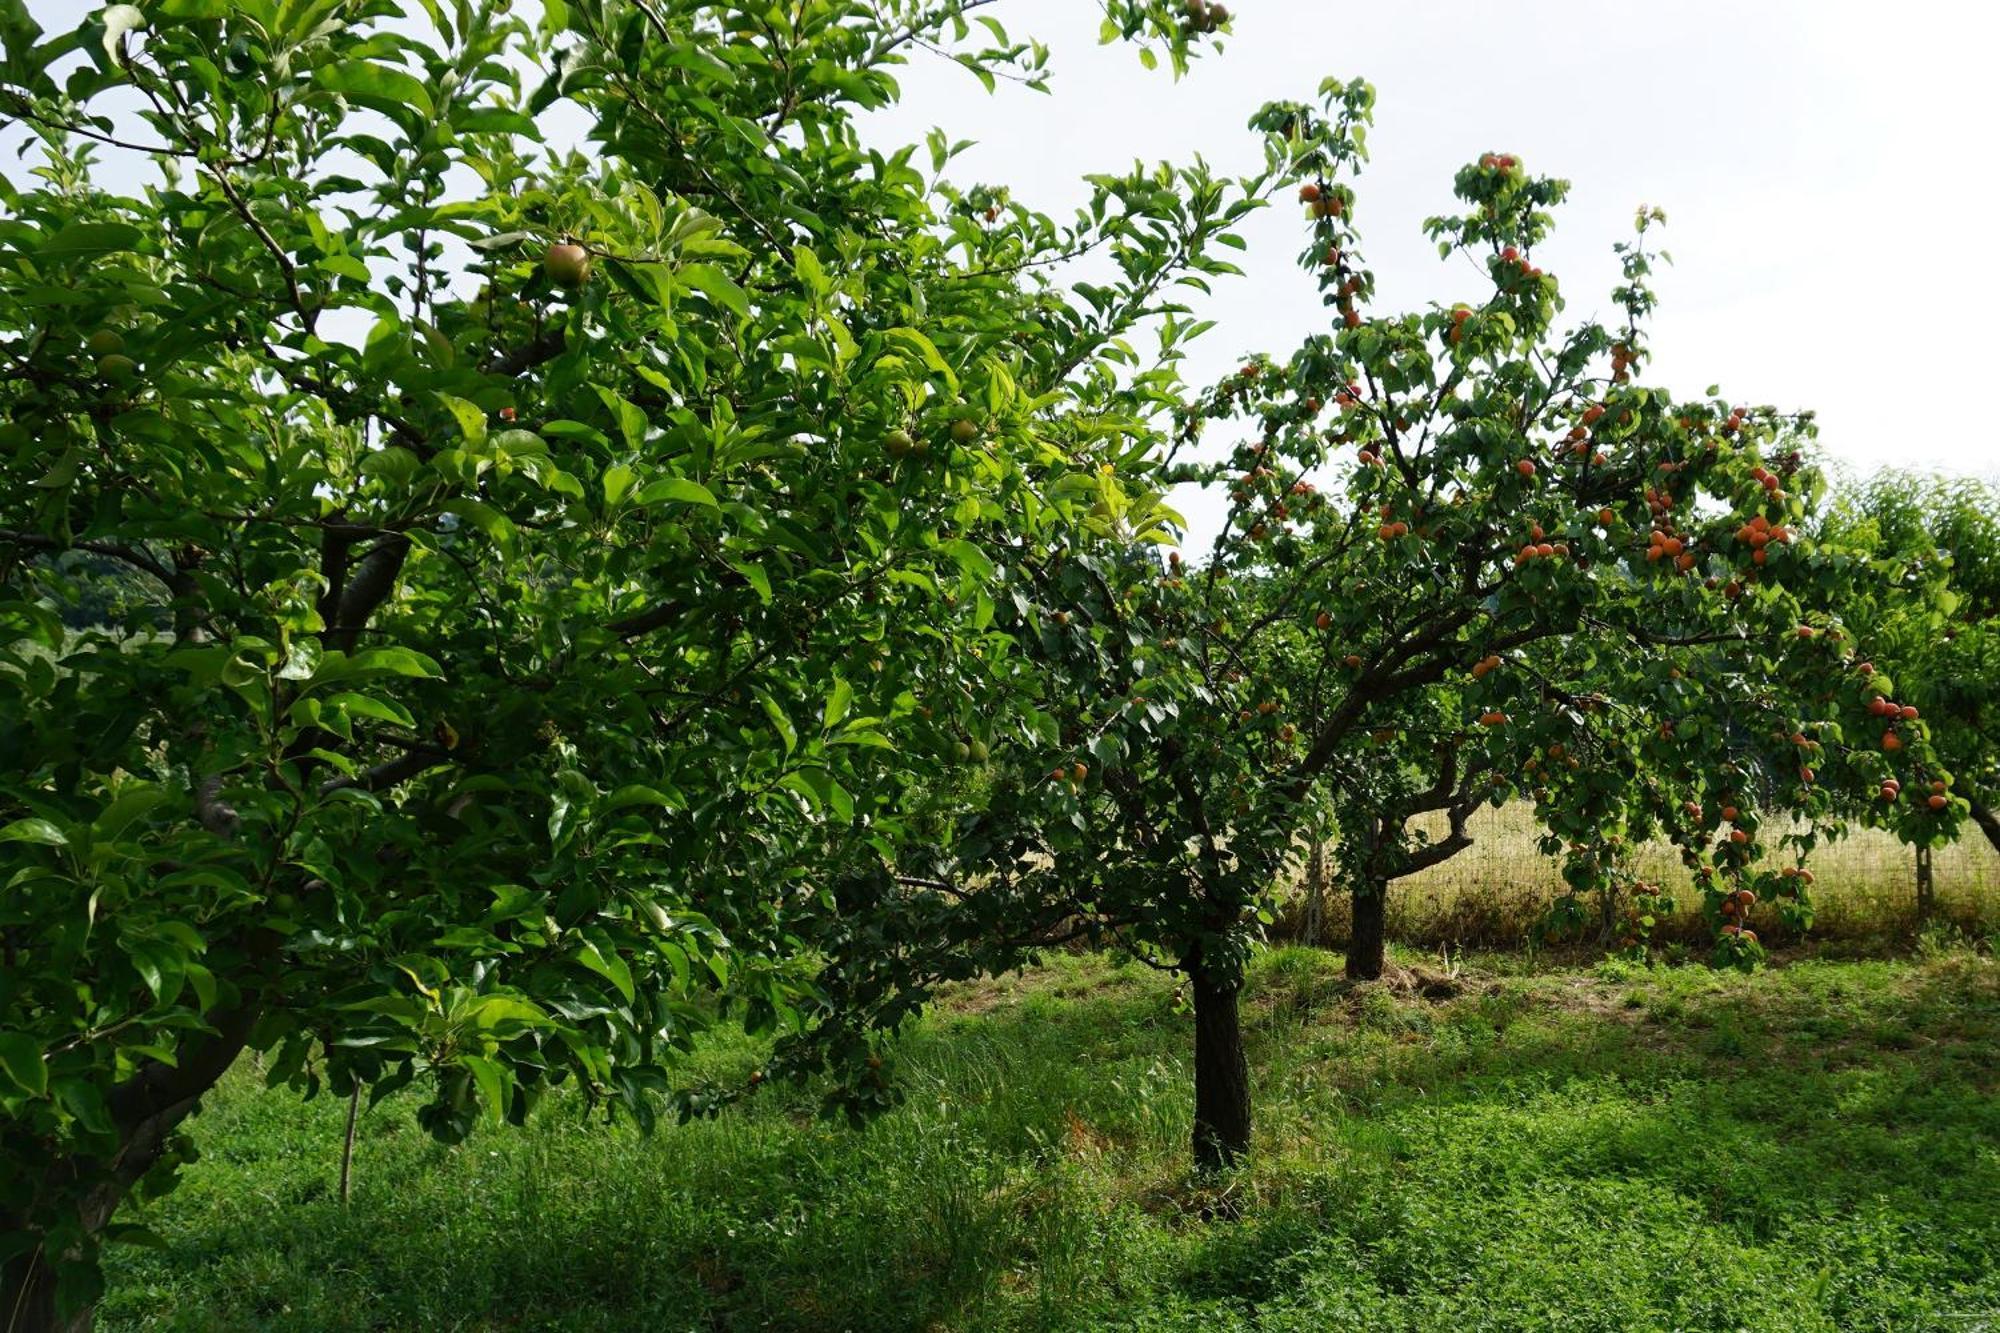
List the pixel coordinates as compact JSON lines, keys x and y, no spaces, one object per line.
{"x":1823,"y":165}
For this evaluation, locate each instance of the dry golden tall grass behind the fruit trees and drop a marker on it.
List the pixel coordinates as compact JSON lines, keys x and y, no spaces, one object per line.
{"x":1495,"y":894}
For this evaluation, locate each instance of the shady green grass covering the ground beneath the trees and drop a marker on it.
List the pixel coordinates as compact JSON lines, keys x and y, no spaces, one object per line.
{"x":1813,"y":1148}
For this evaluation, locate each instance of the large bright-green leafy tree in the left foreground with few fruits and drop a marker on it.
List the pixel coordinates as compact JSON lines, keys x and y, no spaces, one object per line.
{"x":529,"y":557}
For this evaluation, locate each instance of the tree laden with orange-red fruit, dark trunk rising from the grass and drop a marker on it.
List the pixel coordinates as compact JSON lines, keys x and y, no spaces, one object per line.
{"x":1471,"y":557}
